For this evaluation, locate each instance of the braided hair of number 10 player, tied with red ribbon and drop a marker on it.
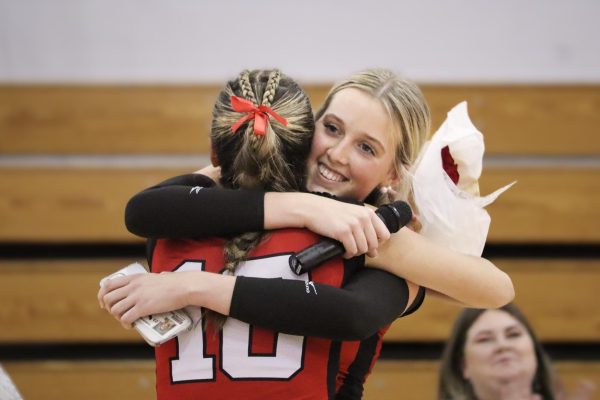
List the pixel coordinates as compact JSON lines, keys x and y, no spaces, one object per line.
{"x":274,"y":161}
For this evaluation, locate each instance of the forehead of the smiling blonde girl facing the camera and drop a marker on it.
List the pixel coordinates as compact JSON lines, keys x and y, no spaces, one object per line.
{"x":361,"y":113}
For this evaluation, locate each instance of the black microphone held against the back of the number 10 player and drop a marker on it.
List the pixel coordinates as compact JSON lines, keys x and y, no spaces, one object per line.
{"x":394,"y":215}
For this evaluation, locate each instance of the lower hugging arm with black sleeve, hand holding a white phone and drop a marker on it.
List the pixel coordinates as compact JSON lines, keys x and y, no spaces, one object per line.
{"x":370,"y":300}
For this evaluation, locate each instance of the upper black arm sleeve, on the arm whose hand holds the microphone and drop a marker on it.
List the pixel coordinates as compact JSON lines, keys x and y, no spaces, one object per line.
{"x":190,"y":206}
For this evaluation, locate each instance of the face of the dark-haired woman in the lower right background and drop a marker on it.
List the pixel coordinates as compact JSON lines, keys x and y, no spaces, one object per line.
{"x":498,"y":347}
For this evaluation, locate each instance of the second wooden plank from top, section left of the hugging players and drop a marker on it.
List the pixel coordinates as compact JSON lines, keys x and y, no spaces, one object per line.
{"x":70,"y":205}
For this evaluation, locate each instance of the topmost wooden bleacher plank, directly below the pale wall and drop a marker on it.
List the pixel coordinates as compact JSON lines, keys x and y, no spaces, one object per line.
{"x":170,"y":119}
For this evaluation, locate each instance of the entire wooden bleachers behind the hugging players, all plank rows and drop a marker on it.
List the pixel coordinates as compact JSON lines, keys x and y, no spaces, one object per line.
{"x":545,"y":137}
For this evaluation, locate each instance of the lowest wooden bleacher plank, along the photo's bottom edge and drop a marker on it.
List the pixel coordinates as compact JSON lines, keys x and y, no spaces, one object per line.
{"x":134,"y":380}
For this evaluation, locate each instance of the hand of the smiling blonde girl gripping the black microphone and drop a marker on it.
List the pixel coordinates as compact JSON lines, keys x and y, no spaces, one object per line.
{"x":358,"y":228}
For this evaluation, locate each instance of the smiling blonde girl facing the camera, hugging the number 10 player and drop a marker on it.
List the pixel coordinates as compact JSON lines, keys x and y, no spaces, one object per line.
{"x":367,"y":134}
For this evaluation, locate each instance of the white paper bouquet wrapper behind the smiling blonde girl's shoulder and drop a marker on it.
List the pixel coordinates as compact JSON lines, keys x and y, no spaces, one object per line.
{"x":453,"y":215}
